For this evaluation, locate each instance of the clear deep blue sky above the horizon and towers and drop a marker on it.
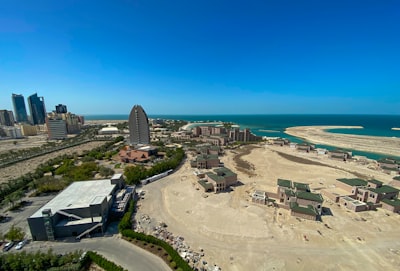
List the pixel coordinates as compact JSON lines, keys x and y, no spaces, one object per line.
{"x":203,"y":57}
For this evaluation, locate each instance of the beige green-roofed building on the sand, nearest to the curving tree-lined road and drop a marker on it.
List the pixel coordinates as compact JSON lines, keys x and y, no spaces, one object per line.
{"x":219,"y":180}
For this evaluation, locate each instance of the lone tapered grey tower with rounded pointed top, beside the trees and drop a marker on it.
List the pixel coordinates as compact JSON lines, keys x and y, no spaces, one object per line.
{"x":138,"y":126}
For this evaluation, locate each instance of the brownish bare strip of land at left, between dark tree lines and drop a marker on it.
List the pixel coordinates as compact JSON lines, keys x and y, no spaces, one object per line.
{"x":21,"y":168}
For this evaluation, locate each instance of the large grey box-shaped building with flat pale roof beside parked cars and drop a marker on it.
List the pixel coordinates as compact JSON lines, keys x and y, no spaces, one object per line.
{"x":82,"y":208}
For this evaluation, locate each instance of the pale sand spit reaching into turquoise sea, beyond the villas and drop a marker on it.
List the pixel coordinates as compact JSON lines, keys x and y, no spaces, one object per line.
{"x":375,"y":144}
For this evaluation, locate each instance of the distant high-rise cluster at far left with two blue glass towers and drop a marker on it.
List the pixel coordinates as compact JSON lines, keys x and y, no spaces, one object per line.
{"x":57,"y":124}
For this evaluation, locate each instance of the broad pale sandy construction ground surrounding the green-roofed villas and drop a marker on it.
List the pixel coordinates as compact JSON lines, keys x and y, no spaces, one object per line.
{"x":237,"y":234}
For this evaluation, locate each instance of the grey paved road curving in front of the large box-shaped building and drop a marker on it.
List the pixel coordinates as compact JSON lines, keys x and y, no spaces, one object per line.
{"x":113,"y":248}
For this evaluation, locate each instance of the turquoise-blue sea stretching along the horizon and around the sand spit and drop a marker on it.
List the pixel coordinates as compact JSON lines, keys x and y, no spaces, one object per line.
{"x":275,"y":125}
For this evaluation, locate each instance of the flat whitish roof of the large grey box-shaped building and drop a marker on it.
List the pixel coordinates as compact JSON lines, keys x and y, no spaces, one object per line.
{"x":78,"y":195}
